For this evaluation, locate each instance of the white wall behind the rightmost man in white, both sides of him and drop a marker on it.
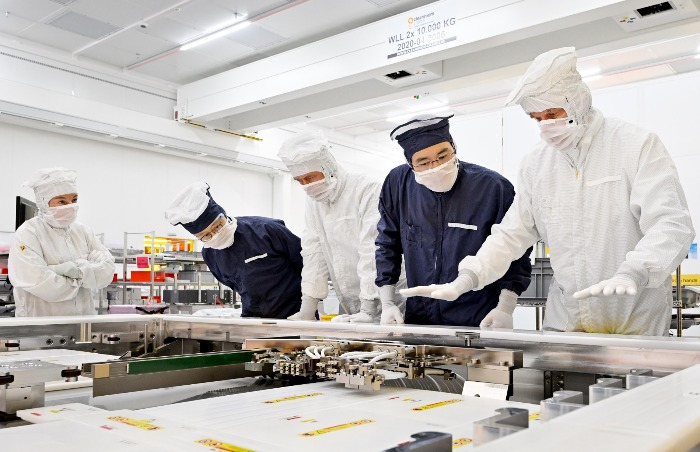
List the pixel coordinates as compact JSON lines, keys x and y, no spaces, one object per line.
{"x":664,"y":106}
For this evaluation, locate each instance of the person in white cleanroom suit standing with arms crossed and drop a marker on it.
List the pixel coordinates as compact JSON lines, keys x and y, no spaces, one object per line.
{"x":54,"y":260}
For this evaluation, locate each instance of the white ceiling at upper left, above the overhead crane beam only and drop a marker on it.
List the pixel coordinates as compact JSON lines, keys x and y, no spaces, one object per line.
{"x":144,"y":36}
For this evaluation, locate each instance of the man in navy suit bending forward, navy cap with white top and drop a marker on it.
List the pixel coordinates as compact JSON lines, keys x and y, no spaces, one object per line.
{"x":257,"y":257}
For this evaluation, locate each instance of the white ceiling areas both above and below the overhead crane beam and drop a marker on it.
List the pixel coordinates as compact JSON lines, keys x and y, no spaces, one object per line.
{"x":144,"y":36}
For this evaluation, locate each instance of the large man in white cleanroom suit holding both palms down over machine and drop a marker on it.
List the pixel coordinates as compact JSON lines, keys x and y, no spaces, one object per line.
{"x":605,"y":197}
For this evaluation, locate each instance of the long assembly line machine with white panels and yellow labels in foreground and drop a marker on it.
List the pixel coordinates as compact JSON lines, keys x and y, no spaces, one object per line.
{"x":176,"y":382}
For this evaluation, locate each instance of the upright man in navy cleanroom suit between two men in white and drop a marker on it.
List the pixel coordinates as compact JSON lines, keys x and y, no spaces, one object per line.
{"x":435,"y":210}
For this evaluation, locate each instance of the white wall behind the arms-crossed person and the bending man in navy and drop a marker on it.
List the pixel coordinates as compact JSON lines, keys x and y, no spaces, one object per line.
{"x":121,"y":188}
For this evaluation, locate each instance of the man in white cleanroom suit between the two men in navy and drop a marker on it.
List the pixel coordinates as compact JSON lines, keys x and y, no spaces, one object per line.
{"x":341,"y":227}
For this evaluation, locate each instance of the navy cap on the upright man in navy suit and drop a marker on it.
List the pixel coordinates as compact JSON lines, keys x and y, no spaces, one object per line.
{"x":422,"y":132}
